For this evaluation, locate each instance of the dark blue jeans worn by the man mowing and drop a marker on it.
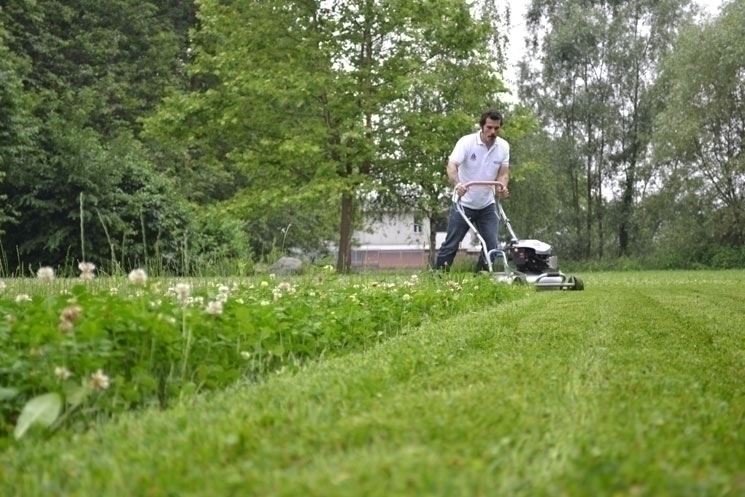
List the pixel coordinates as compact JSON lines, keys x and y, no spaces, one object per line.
{"x":486,"y":222}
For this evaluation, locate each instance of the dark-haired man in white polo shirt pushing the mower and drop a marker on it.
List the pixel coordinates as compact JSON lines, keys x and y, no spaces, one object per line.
{"x":480,"y":156}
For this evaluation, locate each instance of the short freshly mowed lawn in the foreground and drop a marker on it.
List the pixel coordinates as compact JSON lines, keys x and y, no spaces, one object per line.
{"x":633,"y":387}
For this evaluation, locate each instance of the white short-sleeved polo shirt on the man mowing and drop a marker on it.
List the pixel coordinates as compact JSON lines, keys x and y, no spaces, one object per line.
{"x":477,"y":163}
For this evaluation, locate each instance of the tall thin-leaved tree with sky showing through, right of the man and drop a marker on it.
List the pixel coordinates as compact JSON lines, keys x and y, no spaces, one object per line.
{"x":592,"y":90}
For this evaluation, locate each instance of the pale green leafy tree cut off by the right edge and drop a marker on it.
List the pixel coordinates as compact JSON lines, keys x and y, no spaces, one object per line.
{"x":703,"y":121}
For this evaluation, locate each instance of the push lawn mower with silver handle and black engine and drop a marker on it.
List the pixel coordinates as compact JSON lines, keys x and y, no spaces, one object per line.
{"x":534,"y":261}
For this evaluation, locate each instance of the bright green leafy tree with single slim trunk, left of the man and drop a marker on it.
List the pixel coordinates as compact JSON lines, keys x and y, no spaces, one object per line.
{"x":316,"y":93}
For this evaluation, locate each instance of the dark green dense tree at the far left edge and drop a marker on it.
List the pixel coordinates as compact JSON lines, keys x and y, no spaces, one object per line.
{"x":88,"y":72}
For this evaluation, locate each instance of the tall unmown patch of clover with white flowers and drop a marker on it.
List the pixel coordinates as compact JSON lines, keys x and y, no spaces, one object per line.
{"x":90,"y":349}
